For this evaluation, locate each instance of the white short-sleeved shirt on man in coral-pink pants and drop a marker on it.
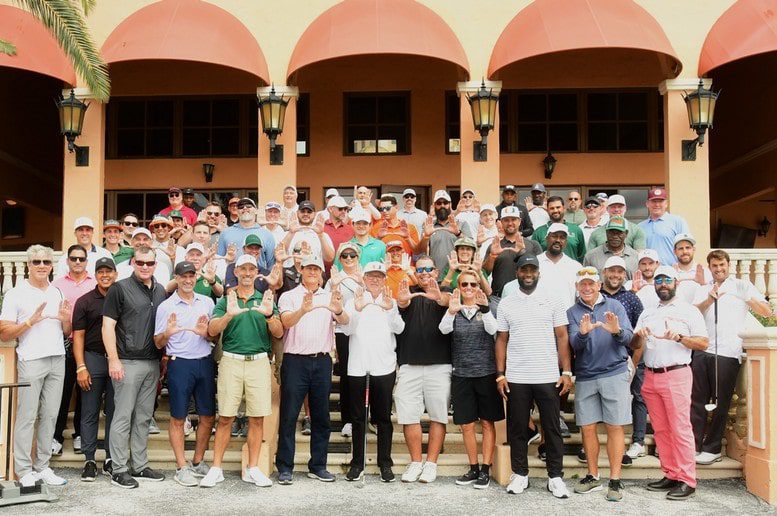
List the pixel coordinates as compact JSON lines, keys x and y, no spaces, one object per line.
{"x":680,"y":317}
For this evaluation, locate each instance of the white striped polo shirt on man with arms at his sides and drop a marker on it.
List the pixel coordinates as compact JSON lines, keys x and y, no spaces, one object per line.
{"x":530,"y":320}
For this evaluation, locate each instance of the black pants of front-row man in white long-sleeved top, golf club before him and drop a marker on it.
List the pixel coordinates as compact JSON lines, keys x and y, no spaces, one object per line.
{"x":381,"y":388}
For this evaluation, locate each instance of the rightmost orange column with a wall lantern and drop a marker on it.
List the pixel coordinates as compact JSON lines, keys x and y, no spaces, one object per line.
{"x":687,"y":182}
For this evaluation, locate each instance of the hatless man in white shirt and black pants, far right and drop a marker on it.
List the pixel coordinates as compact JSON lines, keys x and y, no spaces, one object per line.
{"x":735,"y":297}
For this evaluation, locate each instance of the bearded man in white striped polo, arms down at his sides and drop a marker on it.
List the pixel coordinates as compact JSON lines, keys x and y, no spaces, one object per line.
{"x":532,"y":332}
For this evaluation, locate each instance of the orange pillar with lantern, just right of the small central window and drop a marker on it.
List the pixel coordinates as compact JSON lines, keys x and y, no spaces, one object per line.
{"x":482,"y":176}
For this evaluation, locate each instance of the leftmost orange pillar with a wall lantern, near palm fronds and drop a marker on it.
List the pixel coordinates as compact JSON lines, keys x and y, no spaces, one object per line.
{"x":83,"y":188}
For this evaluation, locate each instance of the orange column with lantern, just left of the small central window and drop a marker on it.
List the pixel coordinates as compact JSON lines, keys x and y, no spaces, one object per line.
{"x":272,"y":178}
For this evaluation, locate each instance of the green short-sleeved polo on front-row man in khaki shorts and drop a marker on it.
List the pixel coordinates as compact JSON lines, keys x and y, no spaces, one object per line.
{"x":246,"y":334}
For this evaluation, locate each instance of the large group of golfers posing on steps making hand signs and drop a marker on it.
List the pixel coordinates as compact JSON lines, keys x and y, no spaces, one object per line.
{"x":488,"y":311}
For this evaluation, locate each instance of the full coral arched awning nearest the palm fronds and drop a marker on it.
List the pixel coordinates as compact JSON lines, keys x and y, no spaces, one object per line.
{"x":186,"y":30}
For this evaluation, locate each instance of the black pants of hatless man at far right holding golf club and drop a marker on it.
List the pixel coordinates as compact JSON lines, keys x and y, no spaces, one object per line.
{"x":703,"y":366}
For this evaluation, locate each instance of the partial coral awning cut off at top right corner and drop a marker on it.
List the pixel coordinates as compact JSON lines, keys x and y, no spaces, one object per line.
{"x":747,"y":28}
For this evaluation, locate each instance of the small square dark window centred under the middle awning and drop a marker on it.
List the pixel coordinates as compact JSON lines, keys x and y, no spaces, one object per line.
{"x":377,"y":123}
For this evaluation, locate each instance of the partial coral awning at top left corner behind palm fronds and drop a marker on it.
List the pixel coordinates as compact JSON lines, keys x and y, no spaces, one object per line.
{"x":36,"y":49}
